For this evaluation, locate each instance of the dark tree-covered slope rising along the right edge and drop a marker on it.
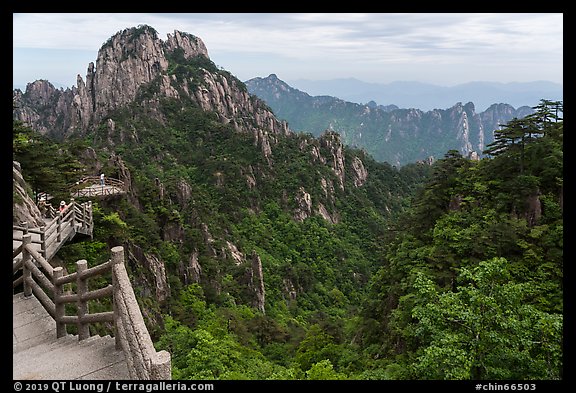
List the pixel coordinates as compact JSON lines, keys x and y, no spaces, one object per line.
{"x":471,"y":286}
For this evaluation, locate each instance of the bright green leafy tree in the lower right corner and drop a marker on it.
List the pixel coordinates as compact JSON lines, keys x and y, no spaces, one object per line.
{"x":485,"y":329}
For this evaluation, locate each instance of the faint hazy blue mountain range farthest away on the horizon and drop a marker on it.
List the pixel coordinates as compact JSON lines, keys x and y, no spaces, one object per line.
{"x":425,"y":96}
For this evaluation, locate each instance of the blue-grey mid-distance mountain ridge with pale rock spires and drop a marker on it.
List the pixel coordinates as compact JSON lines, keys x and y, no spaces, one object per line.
{"x":388,"y":133}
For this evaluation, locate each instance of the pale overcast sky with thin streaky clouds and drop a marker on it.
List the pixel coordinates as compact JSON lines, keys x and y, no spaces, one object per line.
{"x":440,"y":48}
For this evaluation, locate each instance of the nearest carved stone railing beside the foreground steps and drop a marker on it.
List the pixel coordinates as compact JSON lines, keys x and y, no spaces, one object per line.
{"x":47,"y":284}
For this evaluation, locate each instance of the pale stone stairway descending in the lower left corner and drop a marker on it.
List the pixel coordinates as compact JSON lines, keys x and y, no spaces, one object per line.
{"x":39,"y":355}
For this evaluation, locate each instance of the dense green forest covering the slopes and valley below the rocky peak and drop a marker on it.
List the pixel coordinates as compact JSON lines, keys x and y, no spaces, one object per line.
{"x":451,"y":270}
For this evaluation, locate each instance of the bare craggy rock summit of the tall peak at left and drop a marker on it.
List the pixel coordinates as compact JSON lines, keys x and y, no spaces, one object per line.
{"x":136,"y":63}
